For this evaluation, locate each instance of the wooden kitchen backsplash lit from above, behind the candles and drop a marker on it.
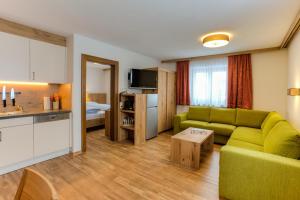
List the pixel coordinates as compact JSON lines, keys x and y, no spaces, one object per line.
{"x":31,"y":97}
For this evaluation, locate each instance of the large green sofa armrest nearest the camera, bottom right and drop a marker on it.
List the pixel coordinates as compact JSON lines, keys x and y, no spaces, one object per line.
{"x":246,"y":175}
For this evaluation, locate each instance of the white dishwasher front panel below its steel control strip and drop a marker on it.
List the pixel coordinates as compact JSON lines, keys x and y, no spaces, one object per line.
{"x":51,"y":137}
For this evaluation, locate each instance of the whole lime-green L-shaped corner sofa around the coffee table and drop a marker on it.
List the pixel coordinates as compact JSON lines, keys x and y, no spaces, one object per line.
{"x":261,"y":157}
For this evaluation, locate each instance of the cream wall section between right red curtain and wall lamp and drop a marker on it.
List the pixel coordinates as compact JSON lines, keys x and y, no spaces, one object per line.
{"x":269,"y":73}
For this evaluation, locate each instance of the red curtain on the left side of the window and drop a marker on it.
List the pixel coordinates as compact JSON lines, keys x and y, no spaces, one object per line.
{"x":183,"y":83}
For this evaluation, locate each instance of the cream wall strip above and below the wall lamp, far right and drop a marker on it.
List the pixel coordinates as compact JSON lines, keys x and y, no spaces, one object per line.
{"x":293,"y":105}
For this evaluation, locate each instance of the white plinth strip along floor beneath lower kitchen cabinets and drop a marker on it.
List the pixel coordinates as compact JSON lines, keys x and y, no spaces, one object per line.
{"x":26,"y":163}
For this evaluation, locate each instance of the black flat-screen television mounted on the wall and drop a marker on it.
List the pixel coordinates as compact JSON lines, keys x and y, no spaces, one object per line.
{"x":142,"y":78}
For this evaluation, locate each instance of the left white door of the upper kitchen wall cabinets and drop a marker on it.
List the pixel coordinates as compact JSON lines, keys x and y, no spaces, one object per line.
{"x":14,"y":58}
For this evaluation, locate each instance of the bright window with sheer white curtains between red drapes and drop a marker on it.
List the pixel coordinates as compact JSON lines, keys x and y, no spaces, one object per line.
{"x":208,"y":82}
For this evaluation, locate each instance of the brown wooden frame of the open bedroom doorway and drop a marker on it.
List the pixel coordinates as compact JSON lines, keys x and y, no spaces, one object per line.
{"x":114,"y":96}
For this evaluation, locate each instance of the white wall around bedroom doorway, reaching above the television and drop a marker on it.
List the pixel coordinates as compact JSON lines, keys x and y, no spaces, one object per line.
{"x":83,"y":45}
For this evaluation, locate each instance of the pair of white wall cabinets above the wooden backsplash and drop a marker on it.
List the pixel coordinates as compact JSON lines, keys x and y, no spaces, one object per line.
{"x":23,"y":59}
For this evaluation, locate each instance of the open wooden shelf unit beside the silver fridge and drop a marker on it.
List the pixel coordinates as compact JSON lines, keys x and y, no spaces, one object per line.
{"x":138,"y":129}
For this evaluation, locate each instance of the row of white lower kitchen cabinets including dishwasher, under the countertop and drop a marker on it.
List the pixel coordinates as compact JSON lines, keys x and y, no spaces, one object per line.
{"x":25,"y":141}
